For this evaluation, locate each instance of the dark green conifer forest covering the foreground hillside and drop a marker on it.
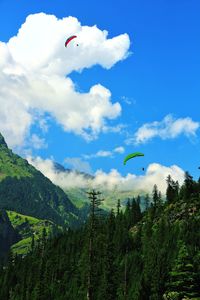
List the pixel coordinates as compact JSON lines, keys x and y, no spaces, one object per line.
{"x":129,"y":255}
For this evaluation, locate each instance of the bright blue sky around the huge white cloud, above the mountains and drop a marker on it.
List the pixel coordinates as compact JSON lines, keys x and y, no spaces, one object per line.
{"x":157,"y":82}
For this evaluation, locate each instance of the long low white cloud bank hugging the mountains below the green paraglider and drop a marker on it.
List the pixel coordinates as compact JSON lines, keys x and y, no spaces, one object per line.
{"x":155,"y":174}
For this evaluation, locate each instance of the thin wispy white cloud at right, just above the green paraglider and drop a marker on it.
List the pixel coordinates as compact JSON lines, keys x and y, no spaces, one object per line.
{"x":168,"y":128}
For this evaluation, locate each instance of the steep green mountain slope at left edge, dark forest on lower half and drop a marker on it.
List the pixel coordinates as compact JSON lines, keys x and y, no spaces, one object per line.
{"x":27,"y":191}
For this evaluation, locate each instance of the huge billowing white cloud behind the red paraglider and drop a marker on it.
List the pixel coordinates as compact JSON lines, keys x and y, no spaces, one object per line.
{"x":34,"y":73}
